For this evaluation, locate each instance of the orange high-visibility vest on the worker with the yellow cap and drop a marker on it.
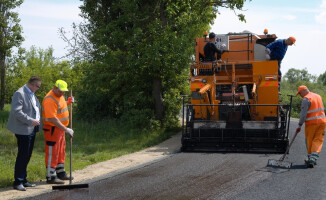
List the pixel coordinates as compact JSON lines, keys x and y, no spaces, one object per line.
{"x":53,"y":106}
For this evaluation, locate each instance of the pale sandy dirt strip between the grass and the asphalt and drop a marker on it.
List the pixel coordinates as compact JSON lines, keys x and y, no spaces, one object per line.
{"x":101,"y":170}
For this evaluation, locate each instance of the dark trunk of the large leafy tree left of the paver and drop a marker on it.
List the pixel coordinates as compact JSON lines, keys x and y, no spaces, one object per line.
{"x":158,"y":100}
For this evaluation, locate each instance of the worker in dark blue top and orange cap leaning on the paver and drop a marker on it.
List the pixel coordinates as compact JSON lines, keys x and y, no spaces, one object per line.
{"x":277,"y":50}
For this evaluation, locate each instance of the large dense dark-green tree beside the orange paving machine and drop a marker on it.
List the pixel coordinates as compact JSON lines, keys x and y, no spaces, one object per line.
{"x":142,"y":50}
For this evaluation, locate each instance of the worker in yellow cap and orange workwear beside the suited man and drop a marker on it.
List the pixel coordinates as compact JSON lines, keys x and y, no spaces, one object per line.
{"x":56,"y":119}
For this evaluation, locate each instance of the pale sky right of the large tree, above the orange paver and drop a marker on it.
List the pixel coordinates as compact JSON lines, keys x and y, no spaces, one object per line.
{"x":305,"y":20}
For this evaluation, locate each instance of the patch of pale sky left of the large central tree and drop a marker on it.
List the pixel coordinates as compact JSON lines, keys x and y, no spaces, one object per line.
{"x":41,"y":20}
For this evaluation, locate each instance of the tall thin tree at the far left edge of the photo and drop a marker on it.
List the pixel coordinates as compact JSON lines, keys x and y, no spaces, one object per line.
{"x":10,"y":36}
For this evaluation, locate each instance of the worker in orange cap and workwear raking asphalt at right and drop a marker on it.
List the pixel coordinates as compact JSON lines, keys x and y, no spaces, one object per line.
{"x":313,"y":115}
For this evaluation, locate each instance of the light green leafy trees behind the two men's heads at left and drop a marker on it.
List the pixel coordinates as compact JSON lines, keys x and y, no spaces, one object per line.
{"x":40,"y":62}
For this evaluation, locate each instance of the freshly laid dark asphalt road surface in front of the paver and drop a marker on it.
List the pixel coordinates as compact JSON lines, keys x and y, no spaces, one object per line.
{"x":211,"y":176}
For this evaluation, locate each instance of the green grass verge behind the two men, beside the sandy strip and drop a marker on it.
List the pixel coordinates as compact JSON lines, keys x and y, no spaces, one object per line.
{"x":92,"y":143}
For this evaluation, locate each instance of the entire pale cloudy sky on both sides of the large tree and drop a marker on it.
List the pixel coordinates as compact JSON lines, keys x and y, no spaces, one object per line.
{"x":305,"y":20}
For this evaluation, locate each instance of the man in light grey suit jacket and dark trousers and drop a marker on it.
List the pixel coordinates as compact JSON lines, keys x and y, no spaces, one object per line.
{"x":24,"y":122}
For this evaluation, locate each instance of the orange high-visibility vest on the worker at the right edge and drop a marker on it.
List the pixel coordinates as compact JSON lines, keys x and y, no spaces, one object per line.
{"x":315,"y":114}
